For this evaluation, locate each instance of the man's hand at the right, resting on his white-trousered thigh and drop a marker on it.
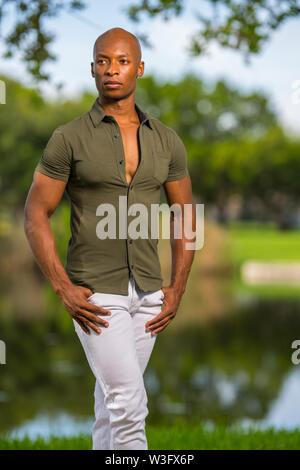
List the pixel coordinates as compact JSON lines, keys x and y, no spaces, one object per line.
{"x":171,"y":303}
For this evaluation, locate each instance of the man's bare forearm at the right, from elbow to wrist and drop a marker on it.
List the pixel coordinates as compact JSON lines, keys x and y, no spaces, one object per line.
{"x":182,"y":258}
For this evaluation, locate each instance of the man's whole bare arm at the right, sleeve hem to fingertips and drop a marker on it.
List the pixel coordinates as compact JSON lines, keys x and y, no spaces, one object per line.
{"x":179,"y":192}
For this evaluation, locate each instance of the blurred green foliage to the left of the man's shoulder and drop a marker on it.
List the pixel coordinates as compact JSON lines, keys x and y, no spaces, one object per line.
{"x":26,"y":123}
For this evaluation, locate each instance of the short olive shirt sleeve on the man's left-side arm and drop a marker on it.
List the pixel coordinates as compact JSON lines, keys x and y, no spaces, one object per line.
{"x":56,"y":158}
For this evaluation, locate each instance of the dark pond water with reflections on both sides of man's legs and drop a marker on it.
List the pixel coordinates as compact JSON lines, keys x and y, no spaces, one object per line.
{"x":236,"y":369}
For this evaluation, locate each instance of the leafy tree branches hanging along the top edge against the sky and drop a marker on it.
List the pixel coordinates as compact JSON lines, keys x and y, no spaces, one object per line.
{"x":243,"y":25}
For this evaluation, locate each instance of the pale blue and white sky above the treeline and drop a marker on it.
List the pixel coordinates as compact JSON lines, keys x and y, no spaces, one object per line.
{"x":275,"y":71}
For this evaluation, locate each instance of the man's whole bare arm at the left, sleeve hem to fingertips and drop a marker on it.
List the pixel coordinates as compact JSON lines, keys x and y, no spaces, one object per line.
{"x":43,"y":198}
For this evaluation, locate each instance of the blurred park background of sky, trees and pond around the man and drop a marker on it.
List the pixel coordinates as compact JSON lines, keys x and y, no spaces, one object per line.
{"x":225,"y":76}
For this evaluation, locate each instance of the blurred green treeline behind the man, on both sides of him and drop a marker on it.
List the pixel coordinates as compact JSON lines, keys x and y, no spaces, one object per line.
{"x":233,"y":140}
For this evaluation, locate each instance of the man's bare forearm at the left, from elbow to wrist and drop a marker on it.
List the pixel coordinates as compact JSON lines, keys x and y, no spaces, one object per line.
{"x":42,"y":242}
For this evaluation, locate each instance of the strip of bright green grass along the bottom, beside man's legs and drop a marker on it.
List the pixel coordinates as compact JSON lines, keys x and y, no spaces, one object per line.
{"x":178,"y":437}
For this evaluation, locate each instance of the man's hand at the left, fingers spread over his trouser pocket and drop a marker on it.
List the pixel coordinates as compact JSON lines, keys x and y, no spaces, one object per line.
{"x":74,"y":299}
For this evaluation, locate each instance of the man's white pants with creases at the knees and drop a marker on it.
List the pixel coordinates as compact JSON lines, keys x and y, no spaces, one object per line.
{"x":118,"y":357}
